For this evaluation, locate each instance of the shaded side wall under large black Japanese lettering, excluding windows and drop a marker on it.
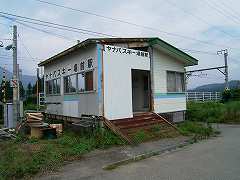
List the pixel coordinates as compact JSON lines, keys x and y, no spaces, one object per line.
{"x":78,"y":103}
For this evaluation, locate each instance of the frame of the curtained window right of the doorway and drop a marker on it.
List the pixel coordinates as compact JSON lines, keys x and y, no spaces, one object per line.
{"x":183,"y":85}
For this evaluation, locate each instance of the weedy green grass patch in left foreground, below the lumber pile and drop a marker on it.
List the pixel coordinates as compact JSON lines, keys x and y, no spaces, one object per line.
{"x":25,"y":157}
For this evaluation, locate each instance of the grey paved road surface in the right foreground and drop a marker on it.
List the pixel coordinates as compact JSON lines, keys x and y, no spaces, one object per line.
{"x":213,"y":159}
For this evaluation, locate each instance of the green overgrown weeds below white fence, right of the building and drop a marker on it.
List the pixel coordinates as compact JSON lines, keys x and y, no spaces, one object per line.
{"x":214,"y":112}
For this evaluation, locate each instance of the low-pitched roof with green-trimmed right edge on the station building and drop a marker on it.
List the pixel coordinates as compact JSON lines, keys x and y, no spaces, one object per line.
{"x":152,"y":41}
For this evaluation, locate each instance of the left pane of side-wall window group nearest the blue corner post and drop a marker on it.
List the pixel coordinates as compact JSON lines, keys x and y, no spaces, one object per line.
{"x":70,"y":84}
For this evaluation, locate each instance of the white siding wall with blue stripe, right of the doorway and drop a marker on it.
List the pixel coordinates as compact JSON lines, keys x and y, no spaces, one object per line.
{"x":163,"y":101}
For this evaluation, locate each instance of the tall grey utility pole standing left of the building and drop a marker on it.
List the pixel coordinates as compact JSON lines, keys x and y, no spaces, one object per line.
{"x":15,"y":88}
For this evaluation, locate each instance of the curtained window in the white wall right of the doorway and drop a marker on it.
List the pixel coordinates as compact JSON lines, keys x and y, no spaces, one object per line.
{"x":175,"y":81}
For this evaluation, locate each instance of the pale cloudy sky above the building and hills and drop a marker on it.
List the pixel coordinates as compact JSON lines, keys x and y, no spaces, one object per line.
{"x":213,"y":21}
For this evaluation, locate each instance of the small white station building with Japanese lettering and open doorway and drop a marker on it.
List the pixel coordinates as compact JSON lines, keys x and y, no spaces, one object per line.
{"x":116,"y":78}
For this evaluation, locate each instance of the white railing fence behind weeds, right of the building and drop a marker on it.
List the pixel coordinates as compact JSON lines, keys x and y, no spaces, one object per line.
{"x":203,"y":96}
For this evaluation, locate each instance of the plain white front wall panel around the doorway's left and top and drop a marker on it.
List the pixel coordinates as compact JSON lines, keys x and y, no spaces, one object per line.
{"x":118,"y":81}
